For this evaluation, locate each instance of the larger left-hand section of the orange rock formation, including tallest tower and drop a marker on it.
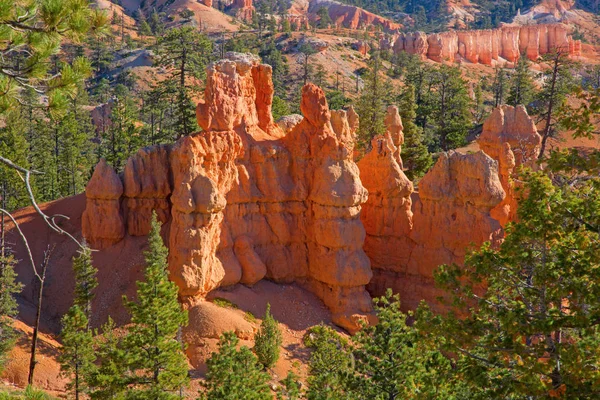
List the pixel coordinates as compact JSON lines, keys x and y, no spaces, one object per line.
{"x":245,"y":200}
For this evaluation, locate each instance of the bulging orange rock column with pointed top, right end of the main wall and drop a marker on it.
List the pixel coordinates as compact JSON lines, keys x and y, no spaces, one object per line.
{"x":338,"y":266}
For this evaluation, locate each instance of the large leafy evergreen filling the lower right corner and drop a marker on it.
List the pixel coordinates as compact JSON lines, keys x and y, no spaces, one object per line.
{"x":529,"y":334}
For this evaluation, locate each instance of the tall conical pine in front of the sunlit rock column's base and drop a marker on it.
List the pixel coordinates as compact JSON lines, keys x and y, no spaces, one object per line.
{"x":156,"y":363}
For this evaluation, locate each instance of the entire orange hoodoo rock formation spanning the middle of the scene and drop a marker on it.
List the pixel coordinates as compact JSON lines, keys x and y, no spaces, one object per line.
{"x":247,"y":199}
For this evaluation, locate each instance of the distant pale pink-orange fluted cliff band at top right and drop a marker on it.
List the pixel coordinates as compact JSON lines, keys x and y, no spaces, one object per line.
{"x":486,"y":46}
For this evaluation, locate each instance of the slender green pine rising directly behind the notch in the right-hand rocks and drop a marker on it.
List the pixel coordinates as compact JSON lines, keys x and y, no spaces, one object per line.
{"x":415,"y":156}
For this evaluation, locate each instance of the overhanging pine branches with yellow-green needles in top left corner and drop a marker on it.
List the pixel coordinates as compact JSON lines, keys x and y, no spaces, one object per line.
{"x":32,"y":32}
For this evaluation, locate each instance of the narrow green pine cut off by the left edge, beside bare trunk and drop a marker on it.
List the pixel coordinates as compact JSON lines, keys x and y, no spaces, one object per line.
{"x":9,"y":287}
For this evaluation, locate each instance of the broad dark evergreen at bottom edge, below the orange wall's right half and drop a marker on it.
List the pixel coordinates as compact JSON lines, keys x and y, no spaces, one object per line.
{"x":396,"y":361}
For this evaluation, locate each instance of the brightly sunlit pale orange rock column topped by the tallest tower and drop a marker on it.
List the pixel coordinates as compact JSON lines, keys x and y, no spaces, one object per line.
{"x":204,"y":169}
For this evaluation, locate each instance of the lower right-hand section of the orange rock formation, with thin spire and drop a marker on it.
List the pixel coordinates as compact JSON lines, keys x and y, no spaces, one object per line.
{"x":463,"y":201}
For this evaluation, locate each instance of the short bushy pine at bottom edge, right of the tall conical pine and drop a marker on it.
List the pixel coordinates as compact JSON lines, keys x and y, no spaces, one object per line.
{"x":235,"y":374}
